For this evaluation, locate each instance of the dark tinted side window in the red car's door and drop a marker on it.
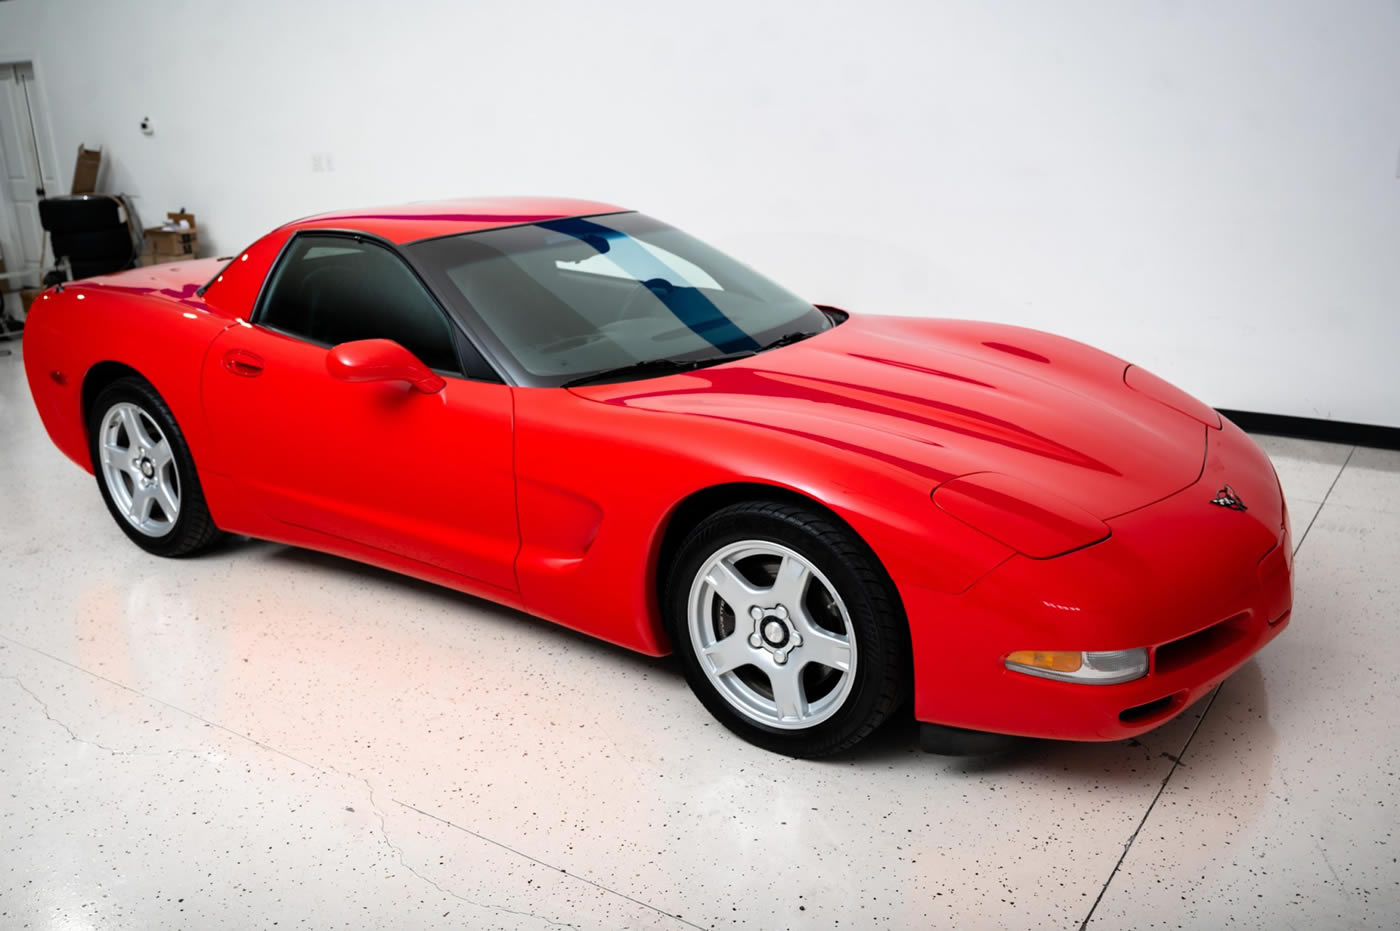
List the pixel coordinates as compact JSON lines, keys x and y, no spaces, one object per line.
{"x":334,"y":290}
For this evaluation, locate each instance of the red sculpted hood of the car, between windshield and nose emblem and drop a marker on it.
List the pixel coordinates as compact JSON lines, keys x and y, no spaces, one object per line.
{"x":950,"y":398}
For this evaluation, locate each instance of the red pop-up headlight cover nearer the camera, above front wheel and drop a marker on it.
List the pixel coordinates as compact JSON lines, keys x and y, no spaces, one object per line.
{"x":1020,"y":514}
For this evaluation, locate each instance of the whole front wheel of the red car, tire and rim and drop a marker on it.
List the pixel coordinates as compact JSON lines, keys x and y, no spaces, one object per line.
{"x":789,"y":629}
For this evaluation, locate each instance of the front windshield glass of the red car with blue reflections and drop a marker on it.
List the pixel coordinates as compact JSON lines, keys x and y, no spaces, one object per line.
{"x":608,"y":299}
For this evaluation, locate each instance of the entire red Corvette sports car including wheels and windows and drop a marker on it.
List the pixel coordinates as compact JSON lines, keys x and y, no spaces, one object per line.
{"x":586,"y":414}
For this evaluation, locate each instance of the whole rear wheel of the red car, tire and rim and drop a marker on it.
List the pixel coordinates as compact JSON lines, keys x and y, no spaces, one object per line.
{"x":145,"y":471}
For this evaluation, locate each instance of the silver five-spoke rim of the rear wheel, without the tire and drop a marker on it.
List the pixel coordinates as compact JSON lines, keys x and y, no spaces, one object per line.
{"x":139,"y":470}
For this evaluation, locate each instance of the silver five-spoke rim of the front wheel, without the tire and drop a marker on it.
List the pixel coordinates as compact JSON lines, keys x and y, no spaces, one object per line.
{"x":772,"y":633}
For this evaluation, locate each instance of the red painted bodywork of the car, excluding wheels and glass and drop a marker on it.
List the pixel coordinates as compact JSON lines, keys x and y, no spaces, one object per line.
{"x":1021,"y":491}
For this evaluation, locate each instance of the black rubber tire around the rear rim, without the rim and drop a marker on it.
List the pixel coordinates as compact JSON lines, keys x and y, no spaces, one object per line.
{"x":194,"y":530}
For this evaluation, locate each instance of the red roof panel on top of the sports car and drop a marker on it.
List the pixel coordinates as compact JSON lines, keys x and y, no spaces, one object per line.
{"x":425,"y":220}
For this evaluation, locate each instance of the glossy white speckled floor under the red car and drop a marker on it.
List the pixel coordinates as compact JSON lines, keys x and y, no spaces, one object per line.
{"x":269,"y":737}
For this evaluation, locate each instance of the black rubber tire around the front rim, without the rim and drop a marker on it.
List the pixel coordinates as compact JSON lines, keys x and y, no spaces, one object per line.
{"x":883,"y":675}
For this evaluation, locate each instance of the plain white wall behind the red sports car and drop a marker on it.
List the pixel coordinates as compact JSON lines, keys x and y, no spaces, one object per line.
{"x":1210,"y":190}
